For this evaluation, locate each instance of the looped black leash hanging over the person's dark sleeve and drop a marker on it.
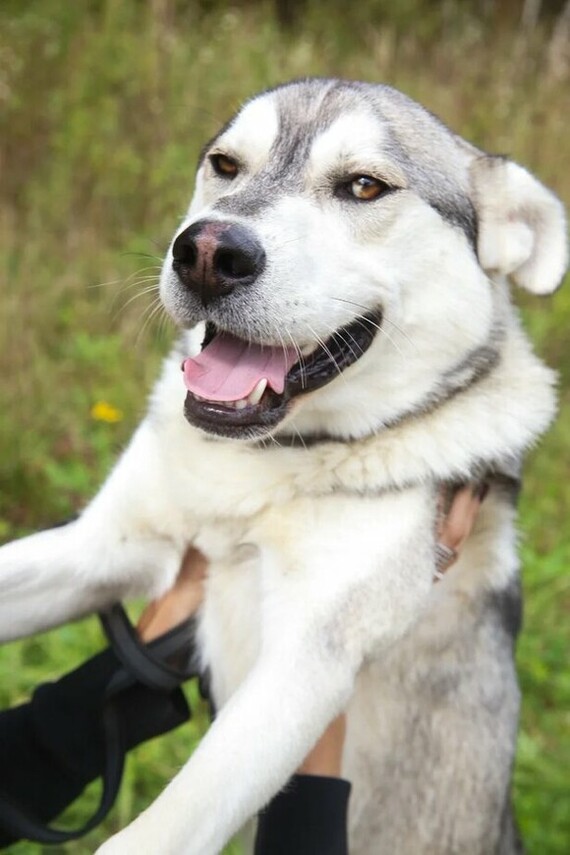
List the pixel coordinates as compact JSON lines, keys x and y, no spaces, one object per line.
{"x":163,"y":666}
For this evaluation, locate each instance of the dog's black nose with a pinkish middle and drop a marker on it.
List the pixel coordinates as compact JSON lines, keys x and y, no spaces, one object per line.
{"x":211,"y":258}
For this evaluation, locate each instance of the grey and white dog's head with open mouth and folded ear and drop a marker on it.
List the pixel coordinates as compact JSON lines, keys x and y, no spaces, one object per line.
{"x":343,"y":261}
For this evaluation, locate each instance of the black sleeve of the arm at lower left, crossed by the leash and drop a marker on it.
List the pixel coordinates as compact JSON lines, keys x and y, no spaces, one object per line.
{"x":52,"y":747}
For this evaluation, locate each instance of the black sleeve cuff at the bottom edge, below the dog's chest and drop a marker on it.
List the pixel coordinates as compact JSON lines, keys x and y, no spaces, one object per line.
{"x":308,"y":817}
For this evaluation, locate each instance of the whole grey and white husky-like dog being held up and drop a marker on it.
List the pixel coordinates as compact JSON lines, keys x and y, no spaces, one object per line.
{"x":349,"y":347}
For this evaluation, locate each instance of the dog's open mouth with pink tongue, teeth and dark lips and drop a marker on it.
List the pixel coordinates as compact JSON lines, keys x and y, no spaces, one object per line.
{"x":242,"y":390}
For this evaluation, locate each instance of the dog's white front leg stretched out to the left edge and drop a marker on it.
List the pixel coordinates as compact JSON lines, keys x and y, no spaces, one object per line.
{"x":119,"y":546}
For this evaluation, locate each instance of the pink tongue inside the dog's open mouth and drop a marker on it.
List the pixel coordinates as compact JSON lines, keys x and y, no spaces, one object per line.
{"x":228,"y":369}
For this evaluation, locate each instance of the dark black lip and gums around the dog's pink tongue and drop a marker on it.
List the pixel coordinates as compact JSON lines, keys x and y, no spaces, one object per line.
{"x":342,"y":349}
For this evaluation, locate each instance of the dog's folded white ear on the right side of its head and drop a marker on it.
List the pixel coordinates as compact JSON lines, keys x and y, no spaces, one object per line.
{"x":522,"y":228}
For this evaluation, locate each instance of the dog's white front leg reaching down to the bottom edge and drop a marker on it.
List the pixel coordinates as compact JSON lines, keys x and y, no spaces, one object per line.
{"x":344,"y":586}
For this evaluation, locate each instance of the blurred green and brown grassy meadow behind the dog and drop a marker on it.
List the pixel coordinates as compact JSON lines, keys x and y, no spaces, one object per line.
{"x":104,"y":105}
